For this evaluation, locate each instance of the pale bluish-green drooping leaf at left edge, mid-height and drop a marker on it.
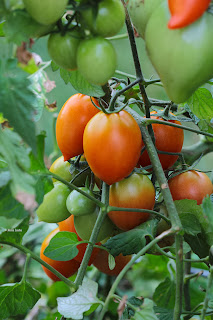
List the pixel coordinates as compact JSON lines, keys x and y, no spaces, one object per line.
{"x":16,"y":156}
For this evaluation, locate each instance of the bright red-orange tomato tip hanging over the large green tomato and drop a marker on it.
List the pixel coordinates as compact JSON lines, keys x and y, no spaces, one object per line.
{"x":185,"y":12}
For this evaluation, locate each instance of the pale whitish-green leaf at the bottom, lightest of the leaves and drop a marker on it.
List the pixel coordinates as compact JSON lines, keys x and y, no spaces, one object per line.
{"x":79,"y":302}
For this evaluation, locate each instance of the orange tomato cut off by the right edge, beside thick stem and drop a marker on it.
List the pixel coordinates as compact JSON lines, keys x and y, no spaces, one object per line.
{"x":192,"y":185}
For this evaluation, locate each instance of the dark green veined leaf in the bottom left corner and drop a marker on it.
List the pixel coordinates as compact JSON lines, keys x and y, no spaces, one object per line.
{"x":17,"y":299}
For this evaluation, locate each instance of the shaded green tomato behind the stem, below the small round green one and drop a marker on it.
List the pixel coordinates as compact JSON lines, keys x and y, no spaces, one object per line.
{"x":85,"y":224}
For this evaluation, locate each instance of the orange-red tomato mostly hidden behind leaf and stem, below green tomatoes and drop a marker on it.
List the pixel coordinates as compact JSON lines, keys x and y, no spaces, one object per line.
{"x":68,"y":225}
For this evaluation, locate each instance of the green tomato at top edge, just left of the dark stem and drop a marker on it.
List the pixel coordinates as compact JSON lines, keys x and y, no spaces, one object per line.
{"x":106,"y":19}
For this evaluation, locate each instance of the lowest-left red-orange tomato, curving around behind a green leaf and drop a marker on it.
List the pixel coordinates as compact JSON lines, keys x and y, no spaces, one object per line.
{"x":66,"y":268}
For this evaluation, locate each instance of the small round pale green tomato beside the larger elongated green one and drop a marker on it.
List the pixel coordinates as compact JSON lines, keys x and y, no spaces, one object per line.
{"x":78,"y":205}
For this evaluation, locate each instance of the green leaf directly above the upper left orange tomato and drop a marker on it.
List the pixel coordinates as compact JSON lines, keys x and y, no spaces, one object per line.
{"x":79,"y":83}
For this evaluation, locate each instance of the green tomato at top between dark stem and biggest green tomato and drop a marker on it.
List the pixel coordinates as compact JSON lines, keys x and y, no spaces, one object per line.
{"x":140,"y":12}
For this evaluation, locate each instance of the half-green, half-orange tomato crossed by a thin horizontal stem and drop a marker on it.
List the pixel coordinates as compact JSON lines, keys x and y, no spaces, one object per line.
{"x":136,"y":191}
